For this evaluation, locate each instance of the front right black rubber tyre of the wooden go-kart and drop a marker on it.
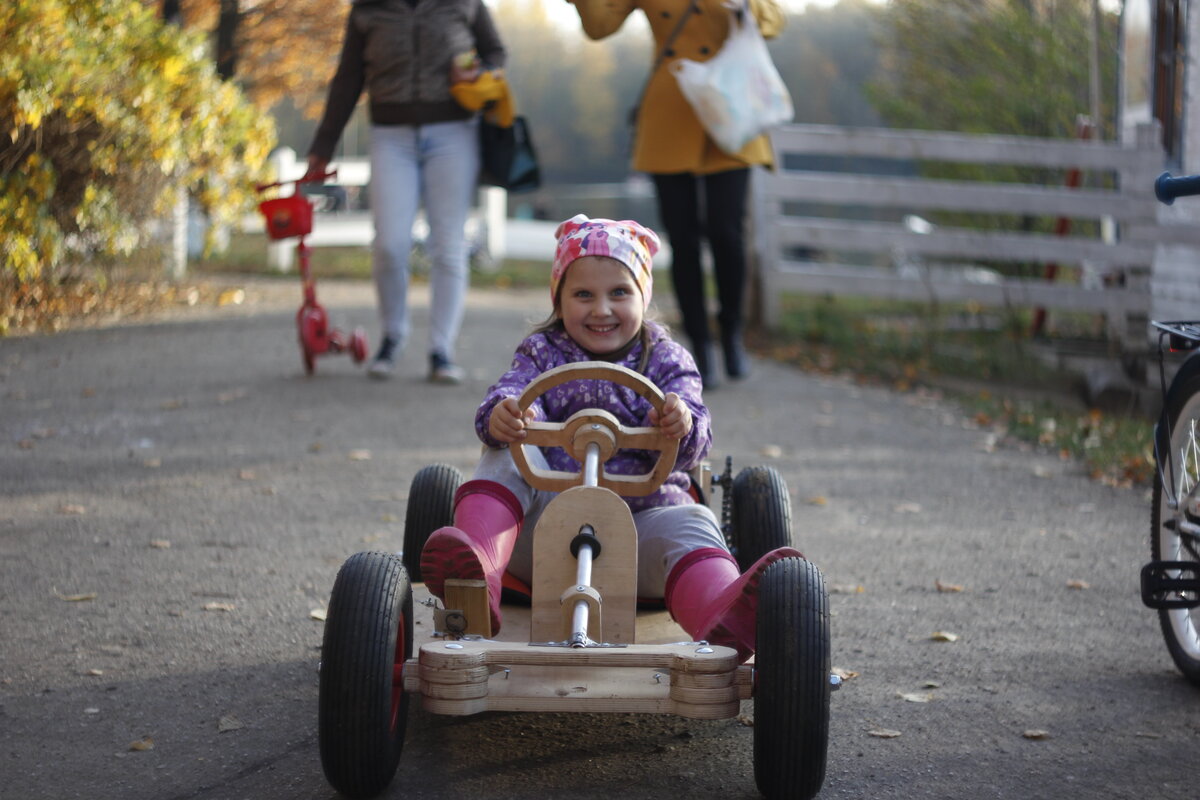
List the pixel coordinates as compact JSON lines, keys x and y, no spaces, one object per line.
{"x":791,"y":703}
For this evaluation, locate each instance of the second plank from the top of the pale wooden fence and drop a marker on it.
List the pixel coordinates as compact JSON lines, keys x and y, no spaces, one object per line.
{"x":911,"y":194}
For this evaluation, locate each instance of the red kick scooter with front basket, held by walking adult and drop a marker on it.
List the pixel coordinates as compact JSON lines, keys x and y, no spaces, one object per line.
{"x":292,"y":216}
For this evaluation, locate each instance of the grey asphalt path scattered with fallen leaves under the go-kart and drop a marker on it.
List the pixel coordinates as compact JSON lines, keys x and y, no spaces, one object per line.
{"x":177,"y":497}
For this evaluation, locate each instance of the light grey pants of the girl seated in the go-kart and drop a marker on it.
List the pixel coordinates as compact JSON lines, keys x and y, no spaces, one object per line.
{"x":665,"y":534}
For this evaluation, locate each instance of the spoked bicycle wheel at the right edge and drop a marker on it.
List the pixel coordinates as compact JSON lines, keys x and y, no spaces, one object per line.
{"x":1181,"y":417}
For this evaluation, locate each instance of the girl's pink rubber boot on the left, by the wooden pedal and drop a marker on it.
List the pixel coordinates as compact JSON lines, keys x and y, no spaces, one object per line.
{"x":487,"y":521}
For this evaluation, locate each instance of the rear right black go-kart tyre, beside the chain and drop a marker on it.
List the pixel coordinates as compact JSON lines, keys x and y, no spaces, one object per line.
{"x":761,"y":515}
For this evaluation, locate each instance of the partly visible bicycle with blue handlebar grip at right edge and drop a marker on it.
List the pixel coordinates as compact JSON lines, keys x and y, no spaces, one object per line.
{"x":1171,"y":584}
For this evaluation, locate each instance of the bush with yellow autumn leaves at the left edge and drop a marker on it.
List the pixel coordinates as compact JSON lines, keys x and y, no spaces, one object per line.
{"x":105,"y":113}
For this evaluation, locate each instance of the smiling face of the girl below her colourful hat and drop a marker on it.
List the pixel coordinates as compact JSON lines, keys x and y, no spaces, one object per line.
{"x":601,"y":304}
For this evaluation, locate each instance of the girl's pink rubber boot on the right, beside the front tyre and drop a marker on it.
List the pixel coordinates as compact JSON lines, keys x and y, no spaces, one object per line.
{"x":710,"y":600}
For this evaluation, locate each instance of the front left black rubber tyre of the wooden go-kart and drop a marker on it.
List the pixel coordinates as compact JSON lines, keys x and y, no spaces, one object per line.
{"x":363,"y":707}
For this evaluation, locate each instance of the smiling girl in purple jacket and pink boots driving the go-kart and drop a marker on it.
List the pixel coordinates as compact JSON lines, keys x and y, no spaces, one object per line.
{"x":601,"y":288}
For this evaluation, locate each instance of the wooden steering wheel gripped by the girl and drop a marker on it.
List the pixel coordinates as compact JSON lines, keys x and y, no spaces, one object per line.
{"x":597,"y":426}
